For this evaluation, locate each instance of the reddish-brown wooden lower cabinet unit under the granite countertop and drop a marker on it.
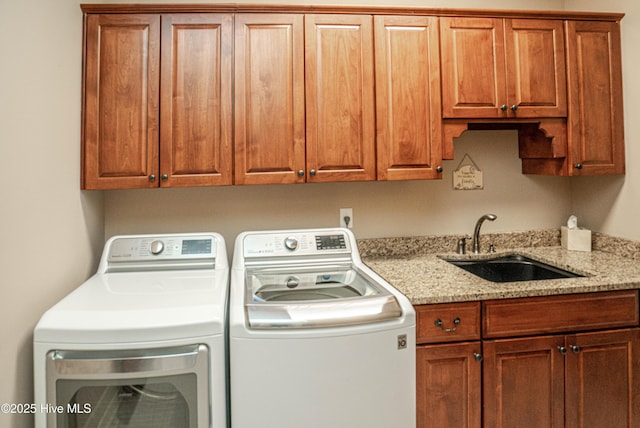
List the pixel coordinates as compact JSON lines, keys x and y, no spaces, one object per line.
{"x":569,"y":361}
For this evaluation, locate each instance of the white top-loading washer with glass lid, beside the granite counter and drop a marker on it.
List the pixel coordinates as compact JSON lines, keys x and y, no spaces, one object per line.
{"x":317,"y":339}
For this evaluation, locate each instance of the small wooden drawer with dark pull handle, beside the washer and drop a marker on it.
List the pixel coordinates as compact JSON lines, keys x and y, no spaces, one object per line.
{"x":448,"y":322}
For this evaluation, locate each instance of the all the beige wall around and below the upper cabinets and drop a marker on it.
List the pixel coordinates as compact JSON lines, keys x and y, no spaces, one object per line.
{"x":52,"y":232}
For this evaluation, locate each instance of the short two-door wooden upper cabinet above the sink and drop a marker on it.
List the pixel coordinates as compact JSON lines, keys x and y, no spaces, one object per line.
{"x":502,"y":68}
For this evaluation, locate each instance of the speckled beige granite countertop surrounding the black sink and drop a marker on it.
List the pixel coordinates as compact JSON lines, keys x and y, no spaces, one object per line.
{"x":425,"y":278}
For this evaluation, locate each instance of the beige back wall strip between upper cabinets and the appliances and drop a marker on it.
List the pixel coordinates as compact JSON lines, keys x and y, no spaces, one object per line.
{"x":405,"y":208}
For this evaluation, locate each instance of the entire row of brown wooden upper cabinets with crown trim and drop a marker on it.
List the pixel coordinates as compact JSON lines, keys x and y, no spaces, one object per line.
{"x":238,"y":94}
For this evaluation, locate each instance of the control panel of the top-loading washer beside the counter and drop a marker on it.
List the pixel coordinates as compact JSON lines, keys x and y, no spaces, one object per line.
{"x":295,"y":243}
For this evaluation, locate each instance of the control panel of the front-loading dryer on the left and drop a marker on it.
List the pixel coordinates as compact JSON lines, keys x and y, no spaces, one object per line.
{"x":147,"y":248}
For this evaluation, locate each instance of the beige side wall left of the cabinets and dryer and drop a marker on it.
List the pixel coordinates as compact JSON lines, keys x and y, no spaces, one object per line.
{"x":51,"y":232}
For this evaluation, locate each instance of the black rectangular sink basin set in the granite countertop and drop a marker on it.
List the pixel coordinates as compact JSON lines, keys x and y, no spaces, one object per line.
{"x":512,"y":267}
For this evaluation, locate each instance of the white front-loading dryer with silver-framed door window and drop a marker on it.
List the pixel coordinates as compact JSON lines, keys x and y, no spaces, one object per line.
{"x":142,"y":343}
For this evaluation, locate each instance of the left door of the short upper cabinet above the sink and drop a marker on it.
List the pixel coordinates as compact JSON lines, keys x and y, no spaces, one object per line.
{"x":473,"y":67}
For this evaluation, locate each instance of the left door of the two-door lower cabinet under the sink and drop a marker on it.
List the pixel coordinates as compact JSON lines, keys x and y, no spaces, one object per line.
{"x":523,"y":383}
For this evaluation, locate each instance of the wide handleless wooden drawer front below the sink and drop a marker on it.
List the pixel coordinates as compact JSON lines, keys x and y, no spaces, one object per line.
{"x":557,"y":314}
